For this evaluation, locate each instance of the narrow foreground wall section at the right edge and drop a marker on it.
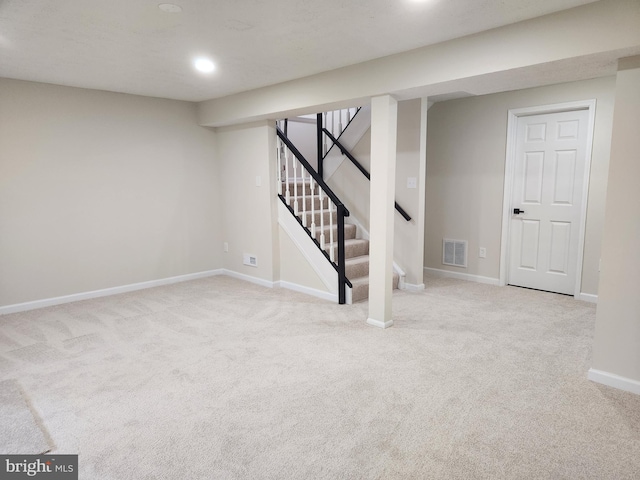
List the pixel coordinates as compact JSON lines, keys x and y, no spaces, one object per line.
{"x":616,"y":349}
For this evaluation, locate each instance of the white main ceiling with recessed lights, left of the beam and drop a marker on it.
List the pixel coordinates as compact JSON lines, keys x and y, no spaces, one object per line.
{"x":132,"y":46}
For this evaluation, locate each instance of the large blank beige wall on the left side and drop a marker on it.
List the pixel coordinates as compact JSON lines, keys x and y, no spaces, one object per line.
{"x":100,"y":189}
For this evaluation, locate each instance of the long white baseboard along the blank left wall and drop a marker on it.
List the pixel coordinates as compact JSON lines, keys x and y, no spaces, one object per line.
{"x":49,"y":302}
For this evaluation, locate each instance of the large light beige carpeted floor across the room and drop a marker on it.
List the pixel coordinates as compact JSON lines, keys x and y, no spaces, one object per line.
{"x":221,"y":379}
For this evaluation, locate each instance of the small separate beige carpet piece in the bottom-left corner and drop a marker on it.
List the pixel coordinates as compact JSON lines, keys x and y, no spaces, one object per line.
{"x":20,"y":432}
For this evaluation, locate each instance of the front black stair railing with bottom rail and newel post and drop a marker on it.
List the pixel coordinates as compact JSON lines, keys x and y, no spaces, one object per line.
{"x":342,"y":212}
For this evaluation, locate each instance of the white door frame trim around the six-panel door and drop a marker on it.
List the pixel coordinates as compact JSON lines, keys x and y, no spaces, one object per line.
{"x":509,"y":172}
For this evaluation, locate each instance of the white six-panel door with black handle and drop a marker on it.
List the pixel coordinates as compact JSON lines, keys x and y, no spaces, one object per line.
{"x":548,"y":187}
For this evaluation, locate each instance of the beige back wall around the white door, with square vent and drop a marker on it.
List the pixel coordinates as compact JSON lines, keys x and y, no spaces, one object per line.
{"x":466,"y":148}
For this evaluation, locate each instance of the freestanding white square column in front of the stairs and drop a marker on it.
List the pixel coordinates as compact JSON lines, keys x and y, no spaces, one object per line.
{"x":384,"y":125}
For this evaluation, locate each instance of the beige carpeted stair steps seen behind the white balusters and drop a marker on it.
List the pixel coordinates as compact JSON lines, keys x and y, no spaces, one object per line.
{"x":356,"y":249}
